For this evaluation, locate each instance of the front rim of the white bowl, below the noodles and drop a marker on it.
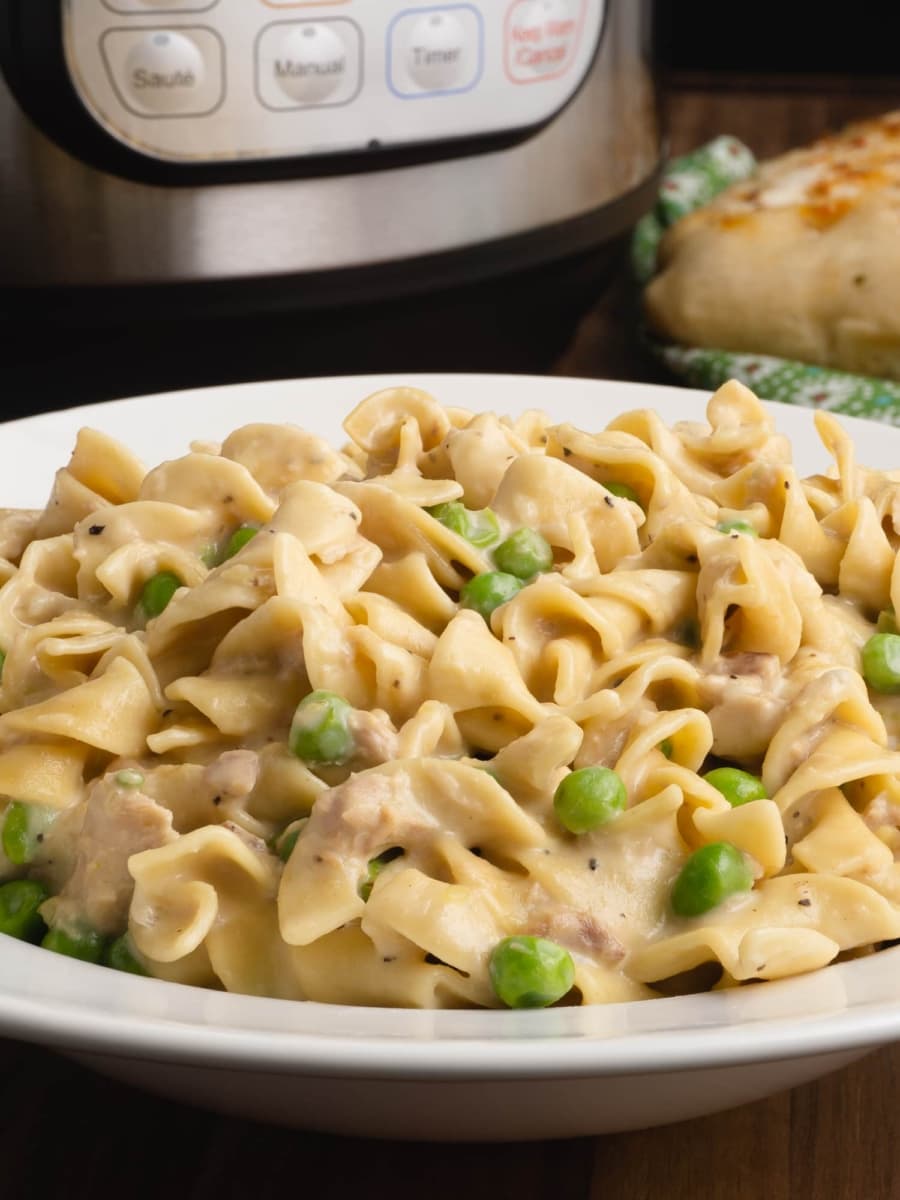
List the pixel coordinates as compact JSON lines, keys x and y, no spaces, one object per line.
{"x":75,"y":1006}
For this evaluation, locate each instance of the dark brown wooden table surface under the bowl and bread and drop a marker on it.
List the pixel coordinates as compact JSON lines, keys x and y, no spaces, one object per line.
{"x":65,"y":1132}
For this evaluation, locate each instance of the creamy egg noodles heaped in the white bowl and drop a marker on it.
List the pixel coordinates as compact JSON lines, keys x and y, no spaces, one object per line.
{"x":707,"y":609}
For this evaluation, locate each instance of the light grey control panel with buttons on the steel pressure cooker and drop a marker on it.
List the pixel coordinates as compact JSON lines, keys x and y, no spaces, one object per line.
{"x":243,"y":81}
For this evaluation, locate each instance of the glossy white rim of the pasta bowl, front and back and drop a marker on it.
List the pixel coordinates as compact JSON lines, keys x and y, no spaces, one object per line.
{"x":76,"y":1006}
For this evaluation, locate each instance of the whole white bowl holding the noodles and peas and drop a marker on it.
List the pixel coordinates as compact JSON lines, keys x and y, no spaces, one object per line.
{"x":441,"y":1076}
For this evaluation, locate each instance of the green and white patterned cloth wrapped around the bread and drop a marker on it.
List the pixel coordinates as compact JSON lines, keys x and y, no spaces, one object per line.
{"x":689,"y":183}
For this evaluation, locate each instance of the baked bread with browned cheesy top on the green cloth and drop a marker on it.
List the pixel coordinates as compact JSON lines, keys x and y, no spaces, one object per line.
{"x":802,"y":261}
